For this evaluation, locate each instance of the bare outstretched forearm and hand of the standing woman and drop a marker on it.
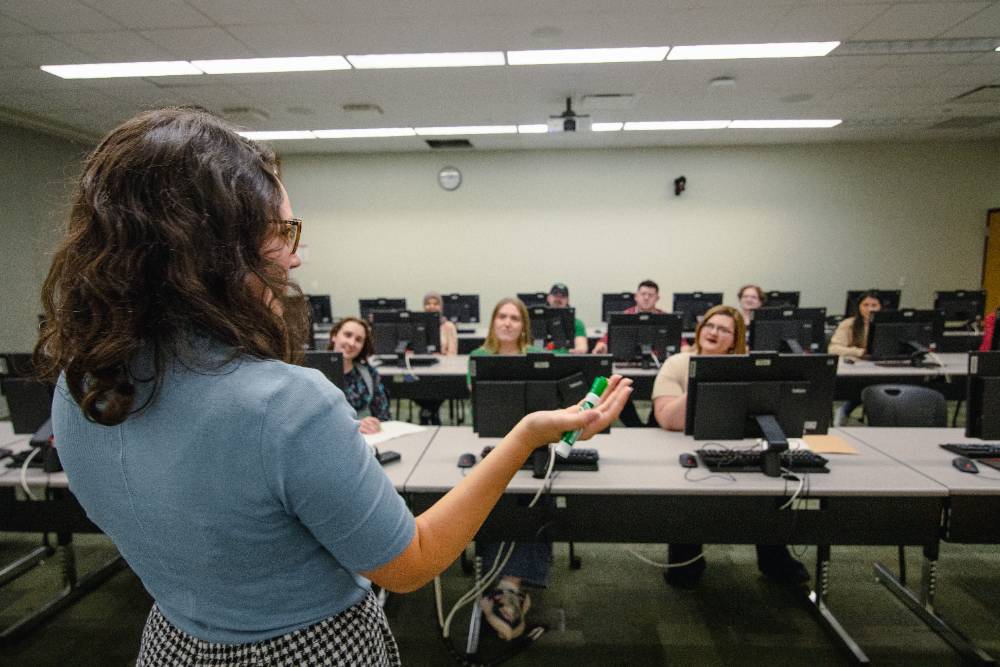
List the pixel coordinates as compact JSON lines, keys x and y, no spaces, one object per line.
{"x":443,"y":531}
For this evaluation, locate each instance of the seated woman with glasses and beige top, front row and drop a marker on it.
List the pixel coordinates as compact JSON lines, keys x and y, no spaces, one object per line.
{"x":721,"y":331}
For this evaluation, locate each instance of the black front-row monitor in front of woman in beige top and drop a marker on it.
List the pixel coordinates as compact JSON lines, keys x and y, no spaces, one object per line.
{"x":760,"y":395}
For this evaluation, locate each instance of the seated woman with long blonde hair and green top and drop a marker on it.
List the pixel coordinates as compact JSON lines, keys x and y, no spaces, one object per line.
{"x":530,"y":563}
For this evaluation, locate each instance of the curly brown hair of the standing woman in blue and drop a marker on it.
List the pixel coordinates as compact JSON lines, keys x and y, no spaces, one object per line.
{"x":163,"y":247}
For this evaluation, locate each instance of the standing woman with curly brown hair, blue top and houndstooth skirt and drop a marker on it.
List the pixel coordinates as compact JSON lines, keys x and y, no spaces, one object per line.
{"x":235,"y":484}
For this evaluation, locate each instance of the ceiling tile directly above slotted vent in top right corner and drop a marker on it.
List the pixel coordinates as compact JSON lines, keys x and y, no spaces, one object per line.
{"x":919,"y":20}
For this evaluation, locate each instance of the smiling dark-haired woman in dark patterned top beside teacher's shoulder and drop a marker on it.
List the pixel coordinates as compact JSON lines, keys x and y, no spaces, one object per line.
{"x":363,"y":387}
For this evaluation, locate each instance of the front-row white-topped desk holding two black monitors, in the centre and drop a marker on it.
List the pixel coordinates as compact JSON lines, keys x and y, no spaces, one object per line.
{"x":642,"y":494}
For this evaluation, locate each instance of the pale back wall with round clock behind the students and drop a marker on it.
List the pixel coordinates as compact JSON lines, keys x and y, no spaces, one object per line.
{"x":822,"y":219}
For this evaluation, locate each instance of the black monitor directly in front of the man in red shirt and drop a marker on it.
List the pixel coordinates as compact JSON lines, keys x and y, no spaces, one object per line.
{"x":644,"y":337}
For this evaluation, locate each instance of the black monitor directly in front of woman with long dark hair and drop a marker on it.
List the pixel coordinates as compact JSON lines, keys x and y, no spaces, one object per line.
{"x":901,"y":335}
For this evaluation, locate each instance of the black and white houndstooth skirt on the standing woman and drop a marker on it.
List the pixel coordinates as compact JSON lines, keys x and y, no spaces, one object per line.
{"x":358,"y":635}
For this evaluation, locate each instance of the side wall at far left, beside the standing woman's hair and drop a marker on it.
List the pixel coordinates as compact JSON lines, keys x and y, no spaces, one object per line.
{"x":36,"y":173}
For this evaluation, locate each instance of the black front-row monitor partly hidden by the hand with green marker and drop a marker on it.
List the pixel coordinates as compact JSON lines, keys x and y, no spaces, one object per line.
{"x":507,"y":387}
